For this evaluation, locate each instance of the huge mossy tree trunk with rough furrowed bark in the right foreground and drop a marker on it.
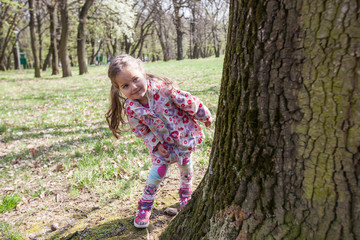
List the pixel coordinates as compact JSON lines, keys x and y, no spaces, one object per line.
{"x":285,"y":162}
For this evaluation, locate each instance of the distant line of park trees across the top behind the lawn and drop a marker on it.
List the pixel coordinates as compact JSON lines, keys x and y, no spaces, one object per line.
{"x":63,"y":33}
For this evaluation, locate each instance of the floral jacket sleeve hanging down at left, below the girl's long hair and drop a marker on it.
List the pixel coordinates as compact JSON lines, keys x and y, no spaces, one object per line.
{"x":141,"y":130}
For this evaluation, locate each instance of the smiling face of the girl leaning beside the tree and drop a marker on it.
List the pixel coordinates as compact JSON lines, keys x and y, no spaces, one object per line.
{"x":132,"y":83}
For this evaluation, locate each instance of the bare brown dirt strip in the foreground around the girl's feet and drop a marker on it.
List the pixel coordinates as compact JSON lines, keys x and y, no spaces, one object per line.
{"x":83,"y":217}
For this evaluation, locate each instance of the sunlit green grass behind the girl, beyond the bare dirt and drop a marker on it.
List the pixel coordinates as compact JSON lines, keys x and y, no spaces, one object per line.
{"x":53,"y":120}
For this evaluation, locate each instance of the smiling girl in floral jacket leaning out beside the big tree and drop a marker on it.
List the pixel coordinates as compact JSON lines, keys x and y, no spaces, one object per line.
{"x":164,"y":117}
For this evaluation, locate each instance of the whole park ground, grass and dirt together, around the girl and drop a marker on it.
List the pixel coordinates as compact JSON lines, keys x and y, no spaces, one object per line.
{"x":62,"y":173}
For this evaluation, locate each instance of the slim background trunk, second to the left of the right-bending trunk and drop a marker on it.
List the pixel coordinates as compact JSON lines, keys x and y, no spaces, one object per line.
{"x":53,"y":41}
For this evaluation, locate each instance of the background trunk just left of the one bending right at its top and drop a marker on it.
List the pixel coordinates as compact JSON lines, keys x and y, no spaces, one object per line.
{"x":64,"y":57}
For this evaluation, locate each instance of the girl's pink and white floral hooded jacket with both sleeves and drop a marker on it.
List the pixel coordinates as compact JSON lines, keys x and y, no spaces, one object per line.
{"x":170,"y":118}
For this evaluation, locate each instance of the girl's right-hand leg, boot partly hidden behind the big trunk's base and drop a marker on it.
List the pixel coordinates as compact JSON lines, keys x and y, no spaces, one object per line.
{"x":186,"y":172}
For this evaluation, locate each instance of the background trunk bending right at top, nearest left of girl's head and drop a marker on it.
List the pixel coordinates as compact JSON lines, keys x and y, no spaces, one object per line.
{"x":81,"y":37}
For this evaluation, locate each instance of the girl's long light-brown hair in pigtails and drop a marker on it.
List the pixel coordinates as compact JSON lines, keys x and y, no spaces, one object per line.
{"x":115,"y":115}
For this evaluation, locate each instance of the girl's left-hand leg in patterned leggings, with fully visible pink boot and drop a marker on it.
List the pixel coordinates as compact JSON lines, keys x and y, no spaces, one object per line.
{"x":156,"y":175}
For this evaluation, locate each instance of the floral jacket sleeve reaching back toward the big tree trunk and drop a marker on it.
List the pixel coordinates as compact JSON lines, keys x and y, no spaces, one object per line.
{"x":190,"y":104}
